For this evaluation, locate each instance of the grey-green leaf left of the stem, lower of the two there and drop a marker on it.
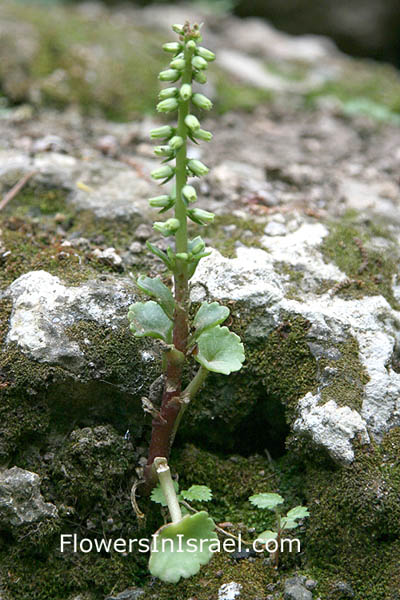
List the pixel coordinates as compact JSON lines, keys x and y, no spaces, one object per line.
{"x":148,"y":318}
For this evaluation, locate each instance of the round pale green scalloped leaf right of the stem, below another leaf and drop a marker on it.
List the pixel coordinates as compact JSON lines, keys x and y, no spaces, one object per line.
{"x":220,"y":350}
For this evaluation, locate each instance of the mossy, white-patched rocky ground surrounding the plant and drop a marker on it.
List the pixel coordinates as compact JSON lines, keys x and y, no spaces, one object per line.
{"x":305,"y":186}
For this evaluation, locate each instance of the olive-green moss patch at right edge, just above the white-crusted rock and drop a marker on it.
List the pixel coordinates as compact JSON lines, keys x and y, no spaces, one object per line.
{"x":370,"y":271}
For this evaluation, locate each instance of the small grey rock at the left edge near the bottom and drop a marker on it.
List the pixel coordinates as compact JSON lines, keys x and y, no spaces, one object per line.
{"x":21,"y":502}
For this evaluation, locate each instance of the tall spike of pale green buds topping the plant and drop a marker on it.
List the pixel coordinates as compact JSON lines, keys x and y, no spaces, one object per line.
{"x":188,"y":65}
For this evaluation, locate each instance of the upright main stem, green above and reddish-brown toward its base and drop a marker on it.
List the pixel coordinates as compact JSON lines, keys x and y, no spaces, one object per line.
{"x":163,"y":428}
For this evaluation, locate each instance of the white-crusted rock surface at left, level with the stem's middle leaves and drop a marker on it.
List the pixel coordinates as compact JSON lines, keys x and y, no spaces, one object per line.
{"x":43,"y":307}
